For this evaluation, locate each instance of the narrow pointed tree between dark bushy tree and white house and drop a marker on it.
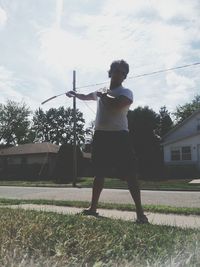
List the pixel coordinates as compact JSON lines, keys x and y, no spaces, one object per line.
{"x":165,"y":122}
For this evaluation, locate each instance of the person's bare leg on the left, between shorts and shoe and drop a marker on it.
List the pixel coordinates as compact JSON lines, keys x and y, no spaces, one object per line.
{"x":96,"y":191}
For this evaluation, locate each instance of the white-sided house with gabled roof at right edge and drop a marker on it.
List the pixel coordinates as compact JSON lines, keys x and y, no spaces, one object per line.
{"x":181,"y":147}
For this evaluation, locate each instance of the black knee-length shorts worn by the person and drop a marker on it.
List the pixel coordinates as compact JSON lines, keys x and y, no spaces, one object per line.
{"x":113,"y":155}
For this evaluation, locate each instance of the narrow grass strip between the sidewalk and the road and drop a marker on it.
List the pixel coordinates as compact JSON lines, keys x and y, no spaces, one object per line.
{"x":85,"y":204}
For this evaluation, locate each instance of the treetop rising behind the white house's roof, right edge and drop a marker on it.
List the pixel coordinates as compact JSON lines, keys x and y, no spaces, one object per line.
{"x":184,"y":111}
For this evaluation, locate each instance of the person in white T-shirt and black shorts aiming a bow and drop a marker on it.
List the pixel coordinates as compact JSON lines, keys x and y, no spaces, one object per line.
{"x":111,"y":146}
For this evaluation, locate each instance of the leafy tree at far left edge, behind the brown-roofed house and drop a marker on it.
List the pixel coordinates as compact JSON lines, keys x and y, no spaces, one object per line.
{"x":14,"y":123}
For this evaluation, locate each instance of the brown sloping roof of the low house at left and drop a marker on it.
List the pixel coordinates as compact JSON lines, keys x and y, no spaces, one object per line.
{"x":32,"y":148}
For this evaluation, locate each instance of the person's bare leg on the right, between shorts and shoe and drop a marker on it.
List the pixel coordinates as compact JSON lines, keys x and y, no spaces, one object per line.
{"x":134,"y":189}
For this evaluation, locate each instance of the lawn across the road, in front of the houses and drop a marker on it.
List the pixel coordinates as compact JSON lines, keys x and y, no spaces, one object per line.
{"x":180,"y":184}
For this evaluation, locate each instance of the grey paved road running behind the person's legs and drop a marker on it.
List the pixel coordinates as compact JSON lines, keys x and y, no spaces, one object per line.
{"x":171,"y":198}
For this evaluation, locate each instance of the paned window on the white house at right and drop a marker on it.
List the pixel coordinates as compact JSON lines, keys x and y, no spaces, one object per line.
{"x":181,"y":153}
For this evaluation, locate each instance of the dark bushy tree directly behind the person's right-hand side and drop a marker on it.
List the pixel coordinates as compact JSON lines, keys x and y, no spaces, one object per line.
{"x":143,"y":123}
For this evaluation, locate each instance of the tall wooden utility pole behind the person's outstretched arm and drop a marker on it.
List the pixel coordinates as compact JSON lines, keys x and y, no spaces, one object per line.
{"x":74,"y":133}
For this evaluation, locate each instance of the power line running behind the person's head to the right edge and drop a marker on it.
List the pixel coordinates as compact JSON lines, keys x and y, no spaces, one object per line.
{"x":145,"y":74}
